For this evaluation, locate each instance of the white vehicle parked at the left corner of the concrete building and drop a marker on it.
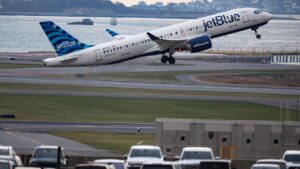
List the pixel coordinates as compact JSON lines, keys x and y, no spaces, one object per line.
{"x":140,"y":154}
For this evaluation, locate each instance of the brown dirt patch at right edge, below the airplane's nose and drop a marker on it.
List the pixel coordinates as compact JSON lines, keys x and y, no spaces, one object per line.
{"x":275,"y":79}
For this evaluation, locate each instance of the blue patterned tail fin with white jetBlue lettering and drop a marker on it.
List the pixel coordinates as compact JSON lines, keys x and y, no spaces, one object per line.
{"x":62,"y":41}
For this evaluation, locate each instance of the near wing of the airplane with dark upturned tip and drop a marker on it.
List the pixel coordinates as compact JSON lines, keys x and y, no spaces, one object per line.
{"x":168,"y":44}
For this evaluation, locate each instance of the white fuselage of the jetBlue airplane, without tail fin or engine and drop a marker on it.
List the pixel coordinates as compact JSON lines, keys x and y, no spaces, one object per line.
{"x":141,"y":45}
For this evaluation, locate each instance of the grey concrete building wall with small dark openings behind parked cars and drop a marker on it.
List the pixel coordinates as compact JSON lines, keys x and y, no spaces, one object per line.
{"x":238,"y":140}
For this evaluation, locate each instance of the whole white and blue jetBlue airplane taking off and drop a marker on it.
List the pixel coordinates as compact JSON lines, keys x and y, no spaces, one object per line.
{"x":194,"y":36}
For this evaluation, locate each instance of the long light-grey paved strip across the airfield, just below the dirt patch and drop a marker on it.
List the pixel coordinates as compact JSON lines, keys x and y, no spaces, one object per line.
{"x":157,"y":86}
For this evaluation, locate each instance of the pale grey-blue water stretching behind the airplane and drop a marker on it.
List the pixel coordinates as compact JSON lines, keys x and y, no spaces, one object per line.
{"x":23,"y":33}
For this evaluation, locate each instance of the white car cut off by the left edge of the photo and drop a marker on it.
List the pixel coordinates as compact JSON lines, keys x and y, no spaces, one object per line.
{"x":8,"y":153}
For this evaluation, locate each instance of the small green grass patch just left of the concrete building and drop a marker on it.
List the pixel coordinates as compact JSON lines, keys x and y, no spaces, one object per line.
{"x":115,"y":142}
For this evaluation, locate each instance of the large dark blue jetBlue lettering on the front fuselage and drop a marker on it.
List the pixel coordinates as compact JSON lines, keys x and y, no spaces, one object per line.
{"x":220,"y":20}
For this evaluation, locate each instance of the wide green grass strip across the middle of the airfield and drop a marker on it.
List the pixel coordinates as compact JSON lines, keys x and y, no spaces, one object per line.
{"x":95,"y":109}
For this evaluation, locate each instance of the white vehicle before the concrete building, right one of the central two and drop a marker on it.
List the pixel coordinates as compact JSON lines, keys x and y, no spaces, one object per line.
{"x":191,"y":156}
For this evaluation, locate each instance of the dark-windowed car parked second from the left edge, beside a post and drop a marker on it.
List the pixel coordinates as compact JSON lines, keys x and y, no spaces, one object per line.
{"x":46,"y":156}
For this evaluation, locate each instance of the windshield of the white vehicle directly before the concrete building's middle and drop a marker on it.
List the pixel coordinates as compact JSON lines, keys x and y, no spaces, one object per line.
{"x":197,"y":155}
